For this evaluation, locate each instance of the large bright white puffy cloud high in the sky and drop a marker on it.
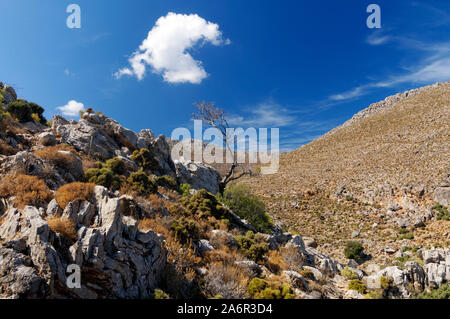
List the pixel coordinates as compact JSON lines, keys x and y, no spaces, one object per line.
{"x":166,"y":47}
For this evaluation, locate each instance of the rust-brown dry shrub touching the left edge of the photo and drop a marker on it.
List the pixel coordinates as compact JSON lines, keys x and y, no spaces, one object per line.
{"x":28,"y":190}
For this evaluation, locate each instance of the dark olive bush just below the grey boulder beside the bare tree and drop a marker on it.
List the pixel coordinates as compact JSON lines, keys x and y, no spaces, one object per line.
{"x":204,"y":205}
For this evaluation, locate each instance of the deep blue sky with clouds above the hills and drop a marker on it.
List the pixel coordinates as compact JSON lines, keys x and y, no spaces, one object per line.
{"x":302,"y":66}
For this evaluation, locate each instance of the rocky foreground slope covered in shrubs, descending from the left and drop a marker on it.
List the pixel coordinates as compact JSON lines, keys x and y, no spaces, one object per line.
{"x":93,"y":196}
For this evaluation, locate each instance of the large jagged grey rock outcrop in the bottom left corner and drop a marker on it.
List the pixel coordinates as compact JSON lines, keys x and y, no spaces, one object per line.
{"x":116,"y":259}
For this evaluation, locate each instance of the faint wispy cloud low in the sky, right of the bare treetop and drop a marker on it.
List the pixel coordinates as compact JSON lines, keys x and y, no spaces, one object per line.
{"x":268,"y":114}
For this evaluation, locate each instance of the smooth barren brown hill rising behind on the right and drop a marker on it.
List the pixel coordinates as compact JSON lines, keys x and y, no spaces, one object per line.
{"x":379,"y":172}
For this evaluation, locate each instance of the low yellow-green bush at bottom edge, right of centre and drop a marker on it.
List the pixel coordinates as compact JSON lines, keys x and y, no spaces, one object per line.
{"x":261,"y":289}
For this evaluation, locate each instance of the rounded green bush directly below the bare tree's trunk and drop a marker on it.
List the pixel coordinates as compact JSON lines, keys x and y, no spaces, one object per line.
{"x":247,"y":206}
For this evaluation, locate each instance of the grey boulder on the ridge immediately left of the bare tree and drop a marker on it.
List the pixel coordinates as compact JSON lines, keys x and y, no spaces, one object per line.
{"x":198,"y":175}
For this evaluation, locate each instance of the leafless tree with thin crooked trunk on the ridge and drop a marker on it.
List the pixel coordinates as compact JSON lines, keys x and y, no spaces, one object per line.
{"x":214,"y":116}
